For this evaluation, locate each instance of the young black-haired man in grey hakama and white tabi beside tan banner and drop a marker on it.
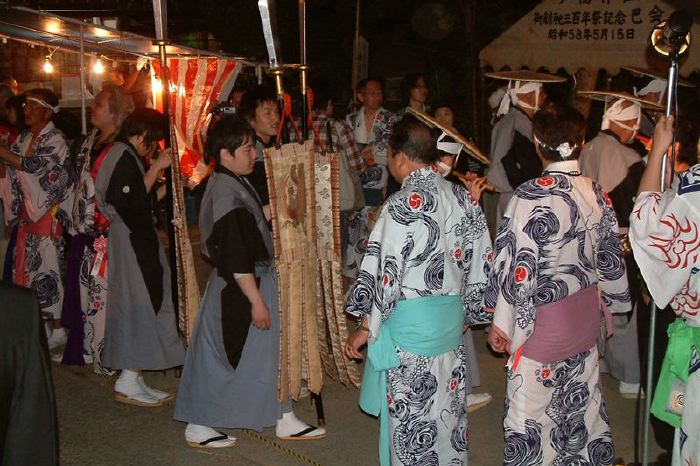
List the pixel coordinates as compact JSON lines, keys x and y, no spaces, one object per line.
{"x":232,"y":365}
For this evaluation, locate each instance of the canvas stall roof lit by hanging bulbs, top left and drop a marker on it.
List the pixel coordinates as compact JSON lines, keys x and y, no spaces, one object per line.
{"x":43,"y":27}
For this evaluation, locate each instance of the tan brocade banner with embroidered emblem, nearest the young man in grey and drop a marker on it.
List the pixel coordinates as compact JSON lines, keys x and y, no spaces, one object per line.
{"x":290,"y":178}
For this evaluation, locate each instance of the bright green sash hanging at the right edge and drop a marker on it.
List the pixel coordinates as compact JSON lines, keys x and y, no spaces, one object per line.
{"x":667,"y":404}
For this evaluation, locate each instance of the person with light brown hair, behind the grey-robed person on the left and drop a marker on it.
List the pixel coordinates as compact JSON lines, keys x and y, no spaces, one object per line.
{"x":86,"y":272}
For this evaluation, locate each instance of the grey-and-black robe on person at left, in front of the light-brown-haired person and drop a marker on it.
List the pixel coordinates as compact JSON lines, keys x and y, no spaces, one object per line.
{"x":136,"y":337}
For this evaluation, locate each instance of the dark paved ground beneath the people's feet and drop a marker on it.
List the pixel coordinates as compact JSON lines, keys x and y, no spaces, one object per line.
{"x":96,"y":430}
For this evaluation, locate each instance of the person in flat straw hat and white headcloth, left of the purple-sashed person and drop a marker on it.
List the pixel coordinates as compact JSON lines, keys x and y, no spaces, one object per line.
{"x":512,"y":154}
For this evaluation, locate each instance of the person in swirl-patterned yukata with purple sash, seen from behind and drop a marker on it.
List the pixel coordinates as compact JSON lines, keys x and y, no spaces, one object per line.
{"x":557,"y":250}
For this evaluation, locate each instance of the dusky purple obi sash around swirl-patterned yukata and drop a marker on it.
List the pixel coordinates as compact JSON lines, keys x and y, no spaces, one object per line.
{"x":567,"y":327}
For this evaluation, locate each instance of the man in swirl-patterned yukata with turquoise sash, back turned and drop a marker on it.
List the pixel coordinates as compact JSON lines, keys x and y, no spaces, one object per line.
{"x":420,"y":284}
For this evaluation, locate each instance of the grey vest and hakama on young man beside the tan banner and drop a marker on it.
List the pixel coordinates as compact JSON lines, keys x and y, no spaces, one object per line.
{"x":212,"y":392}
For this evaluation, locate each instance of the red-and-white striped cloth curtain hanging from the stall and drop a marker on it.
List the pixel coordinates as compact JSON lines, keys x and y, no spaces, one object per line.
{"x":196,"y":86}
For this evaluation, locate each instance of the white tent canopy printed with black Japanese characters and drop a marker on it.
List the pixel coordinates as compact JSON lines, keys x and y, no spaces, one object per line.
{"x":590,"y":34}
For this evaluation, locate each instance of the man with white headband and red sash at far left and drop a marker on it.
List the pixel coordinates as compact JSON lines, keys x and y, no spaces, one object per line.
{"x":36,"y":190}
